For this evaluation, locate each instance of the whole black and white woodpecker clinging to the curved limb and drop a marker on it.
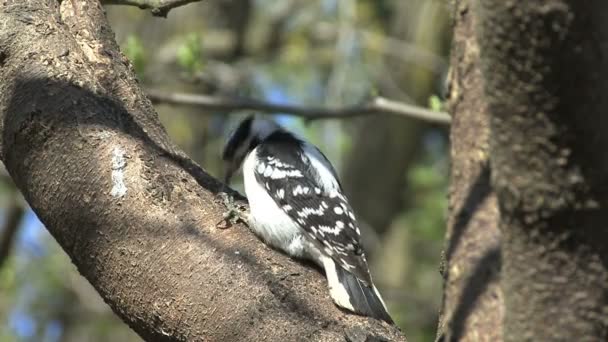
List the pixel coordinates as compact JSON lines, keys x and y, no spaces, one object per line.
{"x":297,"y":206}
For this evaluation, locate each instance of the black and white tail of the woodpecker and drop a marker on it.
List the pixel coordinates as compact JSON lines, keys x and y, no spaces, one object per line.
{"x":349,"y":292}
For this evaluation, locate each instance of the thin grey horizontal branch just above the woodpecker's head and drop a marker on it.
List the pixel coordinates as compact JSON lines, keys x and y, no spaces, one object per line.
{"x":377,"y":105}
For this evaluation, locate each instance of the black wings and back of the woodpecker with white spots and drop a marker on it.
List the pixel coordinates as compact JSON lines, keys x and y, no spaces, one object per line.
{"x":319,"y":208}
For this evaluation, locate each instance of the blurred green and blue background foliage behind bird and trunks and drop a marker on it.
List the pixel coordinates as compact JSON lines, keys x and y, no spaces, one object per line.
{"x":306,"y":52}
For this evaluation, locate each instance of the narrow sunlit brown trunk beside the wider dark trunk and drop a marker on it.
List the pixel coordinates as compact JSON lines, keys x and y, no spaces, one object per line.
{"x":472,"y":304}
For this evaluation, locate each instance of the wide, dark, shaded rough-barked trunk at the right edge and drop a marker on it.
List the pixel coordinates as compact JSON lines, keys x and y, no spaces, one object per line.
{"x":544,"y":67}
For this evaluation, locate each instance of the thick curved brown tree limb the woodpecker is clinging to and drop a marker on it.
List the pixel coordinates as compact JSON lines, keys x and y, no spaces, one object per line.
{"x":137,"y":217}
